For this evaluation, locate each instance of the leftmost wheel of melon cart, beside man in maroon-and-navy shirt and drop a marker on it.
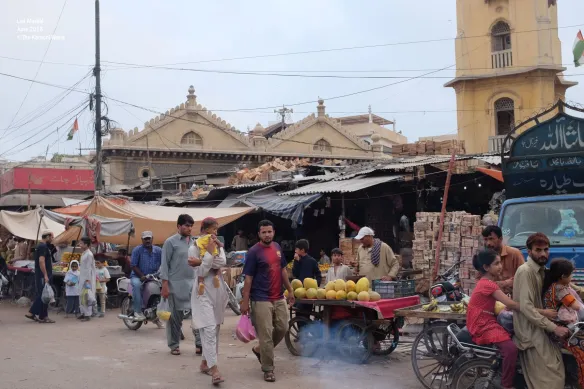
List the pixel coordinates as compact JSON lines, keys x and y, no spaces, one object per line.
{"x":303,"y":336}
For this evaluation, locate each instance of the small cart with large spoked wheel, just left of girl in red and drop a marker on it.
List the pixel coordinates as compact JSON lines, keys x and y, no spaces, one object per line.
{"x":432,"y":359}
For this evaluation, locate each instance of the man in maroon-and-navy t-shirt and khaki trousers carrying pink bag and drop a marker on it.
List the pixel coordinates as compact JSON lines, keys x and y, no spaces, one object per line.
{"x":265,"y":270}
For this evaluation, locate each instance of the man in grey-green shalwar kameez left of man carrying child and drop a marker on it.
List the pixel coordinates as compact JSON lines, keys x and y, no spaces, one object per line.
{"x":177,"y":274}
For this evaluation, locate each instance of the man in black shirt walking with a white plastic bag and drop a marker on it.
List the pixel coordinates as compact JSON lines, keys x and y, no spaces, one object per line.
{"x":43,"y":272}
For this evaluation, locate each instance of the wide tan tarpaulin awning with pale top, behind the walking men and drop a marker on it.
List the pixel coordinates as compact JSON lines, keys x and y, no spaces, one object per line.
{"x":160,"y":220}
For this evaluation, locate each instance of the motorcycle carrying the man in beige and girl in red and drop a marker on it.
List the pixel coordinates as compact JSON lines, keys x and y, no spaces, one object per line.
{"x":481,"y":366}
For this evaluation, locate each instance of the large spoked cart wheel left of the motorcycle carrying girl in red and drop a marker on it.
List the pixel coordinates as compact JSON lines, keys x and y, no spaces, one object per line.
{"x":431,"y":357}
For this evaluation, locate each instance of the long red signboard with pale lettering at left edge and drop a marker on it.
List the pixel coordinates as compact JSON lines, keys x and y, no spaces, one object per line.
{"x":40,"y":179}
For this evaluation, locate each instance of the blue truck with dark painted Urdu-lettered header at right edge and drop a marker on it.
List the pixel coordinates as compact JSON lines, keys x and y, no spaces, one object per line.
{"x":543,"y":174}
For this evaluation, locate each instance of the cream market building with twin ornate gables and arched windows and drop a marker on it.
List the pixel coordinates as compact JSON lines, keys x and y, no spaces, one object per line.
{"x":189,"y":139}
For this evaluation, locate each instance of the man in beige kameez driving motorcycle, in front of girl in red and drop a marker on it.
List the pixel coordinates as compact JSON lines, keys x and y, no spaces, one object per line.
{"x":540,"y":358}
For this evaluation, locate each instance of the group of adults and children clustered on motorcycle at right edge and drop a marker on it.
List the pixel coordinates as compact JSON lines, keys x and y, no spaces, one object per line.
{"x":544,"y":302}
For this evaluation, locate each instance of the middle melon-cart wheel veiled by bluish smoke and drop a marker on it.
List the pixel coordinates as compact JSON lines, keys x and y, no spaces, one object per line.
{"x":355,"y":341}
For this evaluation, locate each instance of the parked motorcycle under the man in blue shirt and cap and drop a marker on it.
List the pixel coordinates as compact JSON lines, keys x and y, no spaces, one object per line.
{"x":151,"y":288}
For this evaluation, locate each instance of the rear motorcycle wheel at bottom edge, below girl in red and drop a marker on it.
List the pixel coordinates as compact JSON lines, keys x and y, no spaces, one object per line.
{"x":476,"y":373}
